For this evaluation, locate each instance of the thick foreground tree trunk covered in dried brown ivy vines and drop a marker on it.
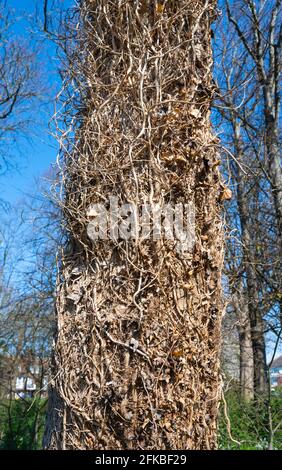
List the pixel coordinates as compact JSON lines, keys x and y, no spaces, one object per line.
{"x":136,"y":359}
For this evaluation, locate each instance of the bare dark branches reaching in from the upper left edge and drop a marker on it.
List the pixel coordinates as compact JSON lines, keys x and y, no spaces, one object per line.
{"x":21,"y":86}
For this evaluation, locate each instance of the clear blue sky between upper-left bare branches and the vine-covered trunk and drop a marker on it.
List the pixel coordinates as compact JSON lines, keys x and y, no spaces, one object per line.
{"x":33,"y":157}
